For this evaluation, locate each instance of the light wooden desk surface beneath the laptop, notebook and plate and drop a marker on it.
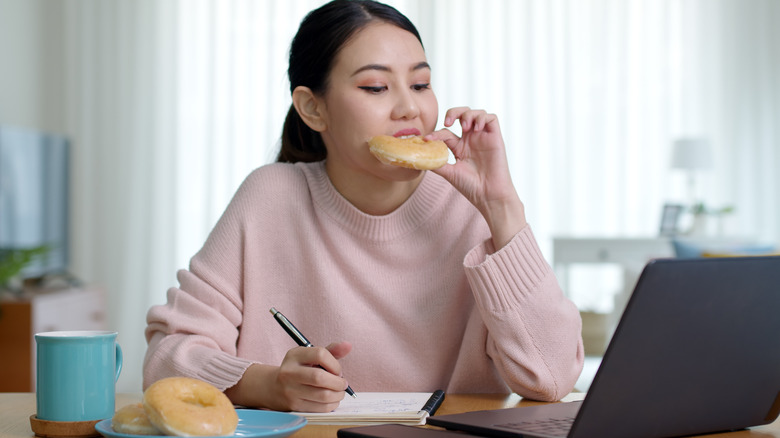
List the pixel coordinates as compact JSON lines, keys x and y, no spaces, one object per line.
{"x":16,"y":408}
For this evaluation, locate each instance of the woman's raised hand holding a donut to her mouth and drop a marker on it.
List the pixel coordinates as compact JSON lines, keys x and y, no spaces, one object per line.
{"x":481,"y":172}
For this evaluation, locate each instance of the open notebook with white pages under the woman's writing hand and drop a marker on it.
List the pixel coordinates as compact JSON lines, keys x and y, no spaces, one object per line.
{"x":381,"y":407}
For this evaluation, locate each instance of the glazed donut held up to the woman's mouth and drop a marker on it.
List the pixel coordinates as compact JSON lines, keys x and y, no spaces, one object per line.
{"x":411,"y":152}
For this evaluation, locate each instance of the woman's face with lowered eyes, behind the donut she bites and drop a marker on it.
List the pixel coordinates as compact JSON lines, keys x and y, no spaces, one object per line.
{"x":379,"y":84}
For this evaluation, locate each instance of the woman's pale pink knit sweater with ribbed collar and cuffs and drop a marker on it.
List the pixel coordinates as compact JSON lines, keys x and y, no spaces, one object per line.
{"x":420,"y":294}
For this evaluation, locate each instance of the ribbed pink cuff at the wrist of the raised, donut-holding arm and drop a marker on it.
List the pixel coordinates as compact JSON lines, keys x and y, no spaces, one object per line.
{"x":496,"y":277}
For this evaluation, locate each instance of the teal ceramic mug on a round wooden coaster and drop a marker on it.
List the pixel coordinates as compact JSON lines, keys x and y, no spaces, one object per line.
{"x":76,"y":374}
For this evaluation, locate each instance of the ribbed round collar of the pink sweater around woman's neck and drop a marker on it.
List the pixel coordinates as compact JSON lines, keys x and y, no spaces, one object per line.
{"x":427,"y":199}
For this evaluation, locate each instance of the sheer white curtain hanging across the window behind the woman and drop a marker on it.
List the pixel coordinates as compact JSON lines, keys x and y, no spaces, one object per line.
{"x":171,"y":104}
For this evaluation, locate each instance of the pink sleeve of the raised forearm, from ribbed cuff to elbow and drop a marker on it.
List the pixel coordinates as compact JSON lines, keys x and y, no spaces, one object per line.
{"x":534,"y":331}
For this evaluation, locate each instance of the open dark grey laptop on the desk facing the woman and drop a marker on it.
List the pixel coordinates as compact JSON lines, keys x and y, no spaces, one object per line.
{"x":697,"y":350}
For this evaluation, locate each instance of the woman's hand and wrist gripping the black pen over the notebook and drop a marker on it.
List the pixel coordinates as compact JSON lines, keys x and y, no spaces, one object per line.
{"x":298,"y":384}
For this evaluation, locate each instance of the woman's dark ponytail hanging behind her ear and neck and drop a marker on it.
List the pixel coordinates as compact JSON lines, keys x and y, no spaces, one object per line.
{"x":299,"y":142}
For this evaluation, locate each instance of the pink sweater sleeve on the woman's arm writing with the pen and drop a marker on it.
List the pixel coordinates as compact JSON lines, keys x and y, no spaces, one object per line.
{"x":195,"y":334}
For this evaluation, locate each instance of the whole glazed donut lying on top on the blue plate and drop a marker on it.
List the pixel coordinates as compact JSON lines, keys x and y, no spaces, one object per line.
{"x":189,"y":407}
